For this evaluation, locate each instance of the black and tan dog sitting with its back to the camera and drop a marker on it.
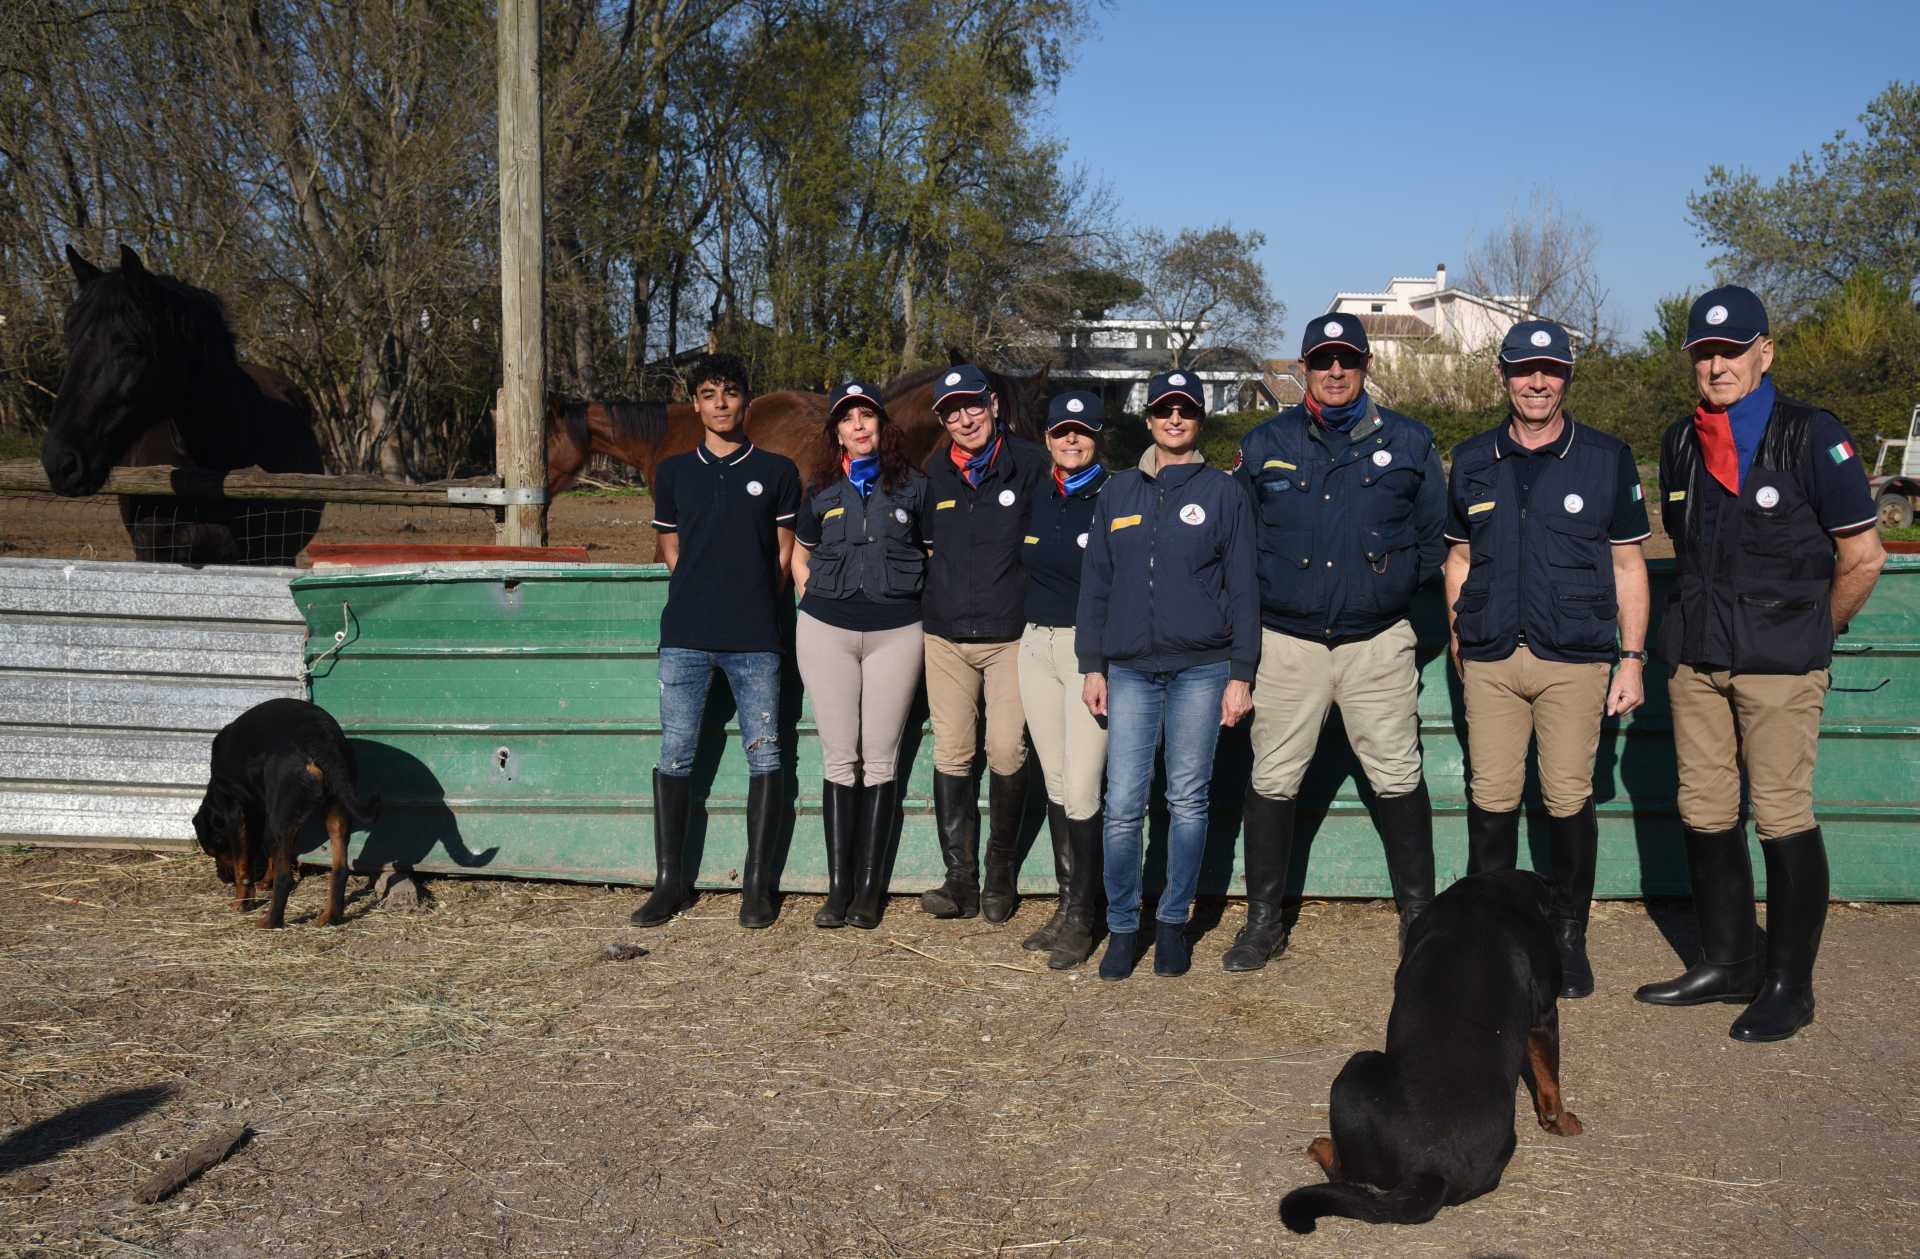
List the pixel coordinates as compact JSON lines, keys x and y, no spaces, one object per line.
{"x":1429,"y":1124}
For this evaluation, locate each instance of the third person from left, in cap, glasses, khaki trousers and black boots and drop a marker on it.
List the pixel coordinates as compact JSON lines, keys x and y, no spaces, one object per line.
{"x":980,"y":481}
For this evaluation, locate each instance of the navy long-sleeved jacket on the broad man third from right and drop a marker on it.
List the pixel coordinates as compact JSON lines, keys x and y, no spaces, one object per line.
{"x":1349,"y":523}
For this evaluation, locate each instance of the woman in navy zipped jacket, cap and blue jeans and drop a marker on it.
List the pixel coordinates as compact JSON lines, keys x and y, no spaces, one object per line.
{"x":1168,"y":640}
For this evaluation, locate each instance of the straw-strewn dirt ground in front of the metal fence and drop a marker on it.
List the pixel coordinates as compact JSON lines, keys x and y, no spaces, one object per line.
{"x":475,"y":1080}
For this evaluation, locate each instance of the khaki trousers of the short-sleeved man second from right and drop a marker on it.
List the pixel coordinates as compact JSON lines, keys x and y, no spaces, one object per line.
{"x":1516,"y":701}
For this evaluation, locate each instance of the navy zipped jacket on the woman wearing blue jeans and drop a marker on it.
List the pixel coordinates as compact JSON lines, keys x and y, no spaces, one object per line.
{"x":1170,"y":573}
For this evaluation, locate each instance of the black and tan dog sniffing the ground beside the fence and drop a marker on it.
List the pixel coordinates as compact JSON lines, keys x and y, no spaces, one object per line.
{"x":274,"y":767}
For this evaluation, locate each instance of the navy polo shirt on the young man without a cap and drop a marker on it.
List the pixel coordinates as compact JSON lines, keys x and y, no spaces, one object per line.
{"x":727,"y":588}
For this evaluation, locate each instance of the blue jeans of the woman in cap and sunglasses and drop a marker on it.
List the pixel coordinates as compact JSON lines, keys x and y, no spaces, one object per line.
{"x":1138,"y":709}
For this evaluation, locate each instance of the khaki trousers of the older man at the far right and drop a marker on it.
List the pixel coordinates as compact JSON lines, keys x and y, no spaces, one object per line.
{"x":1764,"y":723}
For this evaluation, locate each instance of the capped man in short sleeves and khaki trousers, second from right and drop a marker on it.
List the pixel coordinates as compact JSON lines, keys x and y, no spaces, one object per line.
{"x":1547,"y":588}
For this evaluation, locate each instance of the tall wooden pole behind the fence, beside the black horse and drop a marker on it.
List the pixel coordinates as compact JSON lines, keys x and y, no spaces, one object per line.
{"x":521,"y":419}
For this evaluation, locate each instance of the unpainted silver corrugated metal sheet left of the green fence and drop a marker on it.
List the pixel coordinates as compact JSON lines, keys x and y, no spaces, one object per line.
{"x":114,"y":680}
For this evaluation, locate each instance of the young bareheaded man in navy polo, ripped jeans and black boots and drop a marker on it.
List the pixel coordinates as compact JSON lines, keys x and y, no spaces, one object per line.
{"x":725,"y":519}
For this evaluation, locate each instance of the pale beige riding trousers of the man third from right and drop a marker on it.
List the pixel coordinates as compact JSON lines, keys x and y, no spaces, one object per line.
{"x":1378,"y":688}
